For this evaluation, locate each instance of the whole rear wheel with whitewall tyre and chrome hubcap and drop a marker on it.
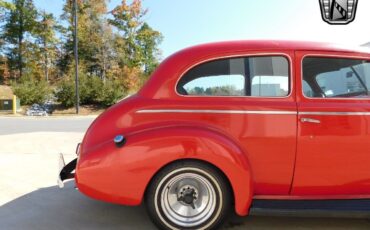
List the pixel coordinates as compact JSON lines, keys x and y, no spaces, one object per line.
{"x":188,"y":195}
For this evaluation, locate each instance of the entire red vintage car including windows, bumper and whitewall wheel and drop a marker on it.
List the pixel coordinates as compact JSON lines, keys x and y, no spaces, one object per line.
{"x":248,"y":126}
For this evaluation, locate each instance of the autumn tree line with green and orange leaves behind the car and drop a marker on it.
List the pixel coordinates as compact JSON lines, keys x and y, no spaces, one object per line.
{"x":118,"y":50}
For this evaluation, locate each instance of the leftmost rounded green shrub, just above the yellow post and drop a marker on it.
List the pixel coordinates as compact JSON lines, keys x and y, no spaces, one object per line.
{"x":31,"y":91}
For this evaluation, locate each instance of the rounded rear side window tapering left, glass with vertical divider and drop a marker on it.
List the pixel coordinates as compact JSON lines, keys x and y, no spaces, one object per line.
{"x":250,"y":76}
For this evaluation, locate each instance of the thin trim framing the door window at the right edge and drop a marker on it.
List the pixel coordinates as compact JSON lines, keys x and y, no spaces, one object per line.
{"x":362,"y":57}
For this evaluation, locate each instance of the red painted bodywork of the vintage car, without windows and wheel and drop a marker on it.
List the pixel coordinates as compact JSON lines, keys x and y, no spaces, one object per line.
{"x":263,"y":145}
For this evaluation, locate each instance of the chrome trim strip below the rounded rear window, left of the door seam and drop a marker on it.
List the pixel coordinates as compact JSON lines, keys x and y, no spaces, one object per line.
{"x":216,"y":111}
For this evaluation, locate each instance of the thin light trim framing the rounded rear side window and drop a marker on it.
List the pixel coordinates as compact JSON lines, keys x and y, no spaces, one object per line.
{"x":245,"y":55}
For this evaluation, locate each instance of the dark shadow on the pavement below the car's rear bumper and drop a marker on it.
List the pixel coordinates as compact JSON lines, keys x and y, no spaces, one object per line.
{"x":54,"y":208}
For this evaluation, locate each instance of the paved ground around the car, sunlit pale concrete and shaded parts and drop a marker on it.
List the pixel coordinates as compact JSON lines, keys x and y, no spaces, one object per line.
{"x":30,"y":199}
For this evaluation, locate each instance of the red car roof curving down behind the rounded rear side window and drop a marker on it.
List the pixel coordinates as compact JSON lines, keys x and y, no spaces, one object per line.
{"x":163,"y":80}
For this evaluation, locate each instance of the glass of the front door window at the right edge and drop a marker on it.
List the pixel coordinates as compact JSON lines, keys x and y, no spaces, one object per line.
{"x":336,"y":77}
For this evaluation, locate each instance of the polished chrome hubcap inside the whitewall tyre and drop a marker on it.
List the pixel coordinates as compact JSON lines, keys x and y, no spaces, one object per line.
{"x":188,"y":199}
